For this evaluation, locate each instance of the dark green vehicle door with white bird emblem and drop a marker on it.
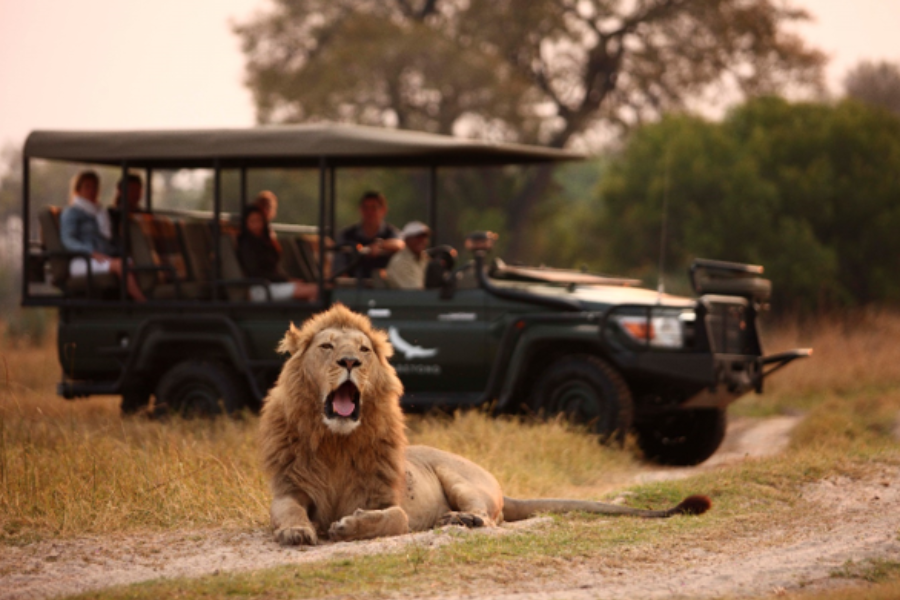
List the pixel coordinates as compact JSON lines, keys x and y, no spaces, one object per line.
{"x":439,"y":344}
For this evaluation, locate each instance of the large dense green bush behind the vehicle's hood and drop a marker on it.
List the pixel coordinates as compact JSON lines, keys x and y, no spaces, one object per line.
{"x":808,"y":190}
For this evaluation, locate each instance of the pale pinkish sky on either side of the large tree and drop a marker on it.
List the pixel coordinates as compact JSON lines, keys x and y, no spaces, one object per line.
{"x":140,"y":64}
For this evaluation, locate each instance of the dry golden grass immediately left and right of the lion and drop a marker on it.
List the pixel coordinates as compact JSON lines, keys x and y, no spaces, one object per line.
{"x":72,"y":468}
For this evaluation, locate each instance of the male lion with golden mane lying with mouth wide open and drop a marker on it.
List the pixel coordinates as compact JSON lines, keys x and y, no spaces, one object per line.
{"x":334,"y":445}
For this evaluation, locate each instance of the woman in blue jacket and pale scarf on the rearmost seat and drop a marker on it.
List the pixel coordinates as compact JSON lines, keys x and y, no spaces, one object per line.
{"x":84,"y":227}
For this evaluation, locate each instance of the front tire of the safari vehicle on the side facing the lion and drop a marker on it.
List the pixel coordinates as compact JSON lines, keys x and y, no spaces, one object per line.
{"x":588,"y":391}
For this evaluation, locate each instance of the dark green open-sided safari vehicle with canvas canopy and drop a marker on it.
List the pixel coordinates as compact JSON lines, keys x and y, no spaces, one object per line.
{"x":601,"y":350}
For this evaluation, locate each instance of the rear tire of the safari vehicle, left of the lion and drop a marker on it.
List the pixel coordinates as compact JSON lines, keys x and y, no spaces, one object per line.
{"x":198,"y":389}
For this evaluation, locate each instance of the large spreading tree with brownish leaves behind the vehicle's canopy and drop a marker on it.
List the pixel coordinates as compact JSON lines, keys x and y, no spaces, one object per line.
{"x":543,"y":71}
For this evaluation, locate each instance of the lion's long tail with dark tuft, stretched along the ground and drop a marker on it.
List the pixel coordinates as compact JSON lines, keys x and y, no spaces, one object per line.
{"x":516,"y":510}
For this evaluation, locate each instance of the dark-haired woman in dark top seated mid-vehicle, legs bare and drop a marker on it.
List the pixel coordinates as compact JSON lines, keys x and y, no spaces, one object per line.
{"x":260,"y":257}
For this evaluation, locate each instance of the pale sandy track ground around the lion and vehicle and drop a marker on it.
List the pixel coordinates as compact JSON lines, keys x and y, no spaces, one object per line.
{"x":860,"y":519}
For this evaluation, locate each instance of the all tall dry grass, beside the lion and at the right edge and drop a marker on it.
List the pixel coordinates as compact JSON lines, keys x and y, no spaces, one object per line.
{"x":71,"y":468}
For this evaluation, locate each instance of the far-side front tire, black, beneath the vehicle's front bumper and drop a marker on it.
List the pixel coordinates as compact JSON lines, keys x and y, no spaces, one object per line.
{"x":683,"y":438}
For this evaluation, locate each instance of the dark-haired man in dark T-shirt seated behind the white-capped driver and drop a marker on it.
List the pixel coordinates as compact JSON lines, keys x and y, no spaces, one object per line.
{"x":377,"y":239}
